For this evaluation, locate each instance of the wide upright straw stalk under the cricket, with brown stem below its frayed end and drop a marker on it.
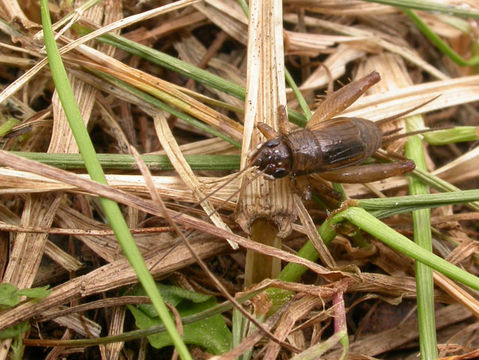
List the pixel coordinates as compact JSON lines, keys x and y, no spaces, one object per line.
{"x":269,"y":202}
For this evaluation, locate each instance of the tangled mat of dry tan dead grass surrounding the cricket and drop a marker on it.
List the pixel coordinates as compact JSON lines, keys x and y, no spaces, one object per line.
{"x":53,"y":230}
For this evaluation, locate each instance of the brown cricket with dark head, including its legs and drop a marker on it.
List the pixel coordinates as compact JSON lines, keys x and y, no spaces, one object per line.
{"x":332,"y":146}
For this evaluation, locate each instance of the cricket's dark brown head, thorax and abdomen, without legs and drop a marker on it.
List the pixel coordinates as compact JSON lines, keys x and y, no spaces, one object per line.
{"x":330,"y":145}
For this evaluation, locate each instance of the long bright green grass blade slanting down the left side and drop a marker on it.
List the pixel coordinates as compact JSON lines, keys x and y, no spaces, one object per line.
{"x":111,"y":208}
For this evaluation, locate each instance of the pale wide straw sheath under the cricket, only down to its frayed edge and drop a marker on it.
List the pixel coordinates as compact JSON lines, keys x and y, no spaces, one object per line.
{"x":265,"y":92}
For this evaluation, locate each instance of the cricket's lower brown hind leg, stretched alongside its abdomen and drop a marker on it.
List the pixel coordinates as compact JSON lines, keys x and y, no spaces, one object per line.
{"x":369,"y":173}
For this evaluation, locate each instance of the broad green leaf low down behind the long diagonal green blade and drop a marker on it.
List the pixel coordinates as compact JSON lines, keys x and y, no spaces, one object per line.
{"x":210,"y":333}
